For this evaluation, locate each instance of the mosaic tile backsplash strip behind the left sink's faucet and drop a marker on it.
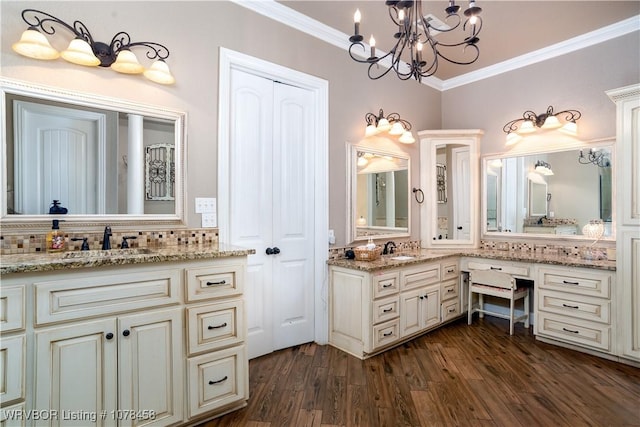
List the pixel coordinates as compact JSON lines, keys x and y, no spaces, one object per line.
{"x":35,"y":242}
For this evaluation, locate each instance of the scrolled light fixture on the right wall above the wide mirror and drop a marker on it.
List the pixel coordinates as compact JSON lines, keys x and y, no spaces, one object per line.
{"x":530,"y":122}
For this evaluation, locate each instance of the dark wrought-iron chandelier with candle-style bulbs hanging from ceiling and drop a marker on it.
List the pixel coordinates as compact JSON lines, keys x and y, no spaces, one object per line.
{"x":417,"y":40}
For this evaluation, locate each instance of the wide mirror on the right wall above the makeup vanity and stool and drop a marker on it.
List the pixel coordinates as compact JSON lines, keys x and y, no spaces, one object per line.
{"x":551,"y":192}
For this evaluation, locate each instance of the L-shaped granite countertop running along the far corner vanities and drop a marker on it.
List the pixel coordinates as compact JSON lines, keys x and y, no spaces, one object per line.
{"x":426,"y":255}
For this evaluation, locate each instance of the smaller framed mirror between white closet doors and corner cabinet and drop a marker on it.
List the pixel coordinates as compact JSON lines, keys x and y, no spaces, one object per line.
{"x":378,"y":204}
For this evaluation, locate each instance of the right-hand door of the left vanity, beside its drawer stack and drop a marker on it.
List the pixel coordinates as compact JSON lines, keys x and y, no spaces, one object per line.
{"x":150,"y":374}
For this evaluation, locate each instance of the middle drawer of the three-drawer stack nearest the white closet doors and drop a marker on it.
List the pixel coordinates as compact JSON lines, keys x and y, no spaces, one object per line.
{"x":215,"y":326}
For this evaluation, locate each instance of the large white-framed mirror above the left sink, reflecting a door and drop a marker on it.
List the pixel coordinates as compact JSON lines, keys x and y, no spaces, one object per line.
{"x":102,"y":159}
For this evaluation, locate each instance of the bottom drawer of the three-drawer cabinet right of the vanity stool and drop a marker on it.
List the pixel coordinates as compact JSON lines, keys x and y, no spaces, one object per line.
{"x":575,"y":331}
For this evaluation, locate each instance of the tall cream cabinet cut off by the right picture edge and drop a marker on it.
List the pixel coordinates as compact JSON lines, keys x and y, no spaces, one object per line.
{"x":627,"y":101}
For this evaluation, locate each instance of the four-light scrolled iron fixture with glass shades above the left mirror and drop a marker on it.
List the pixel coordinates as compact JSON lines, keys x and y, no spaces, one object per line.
{"x":84,"y":50}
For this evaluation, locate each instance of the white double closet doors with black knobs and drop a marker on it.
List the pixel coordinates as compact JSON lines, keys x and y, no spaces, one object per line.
{"x":271,"y":196}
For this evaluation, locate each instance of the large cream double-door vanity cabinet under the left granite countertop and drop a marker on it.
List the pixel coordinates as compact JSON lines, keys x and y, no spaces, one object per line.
{"x":142,"y":344}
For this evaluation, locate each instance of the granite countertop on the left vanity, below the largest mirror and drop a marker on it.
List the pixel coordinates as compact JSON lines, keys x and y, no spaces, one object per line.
{"x":35,"y":262}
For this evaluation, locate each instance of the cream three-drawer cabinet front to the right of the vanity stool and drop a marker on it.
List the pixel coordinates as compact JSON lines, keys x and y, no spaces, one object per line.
{"x":574,"y":305}
